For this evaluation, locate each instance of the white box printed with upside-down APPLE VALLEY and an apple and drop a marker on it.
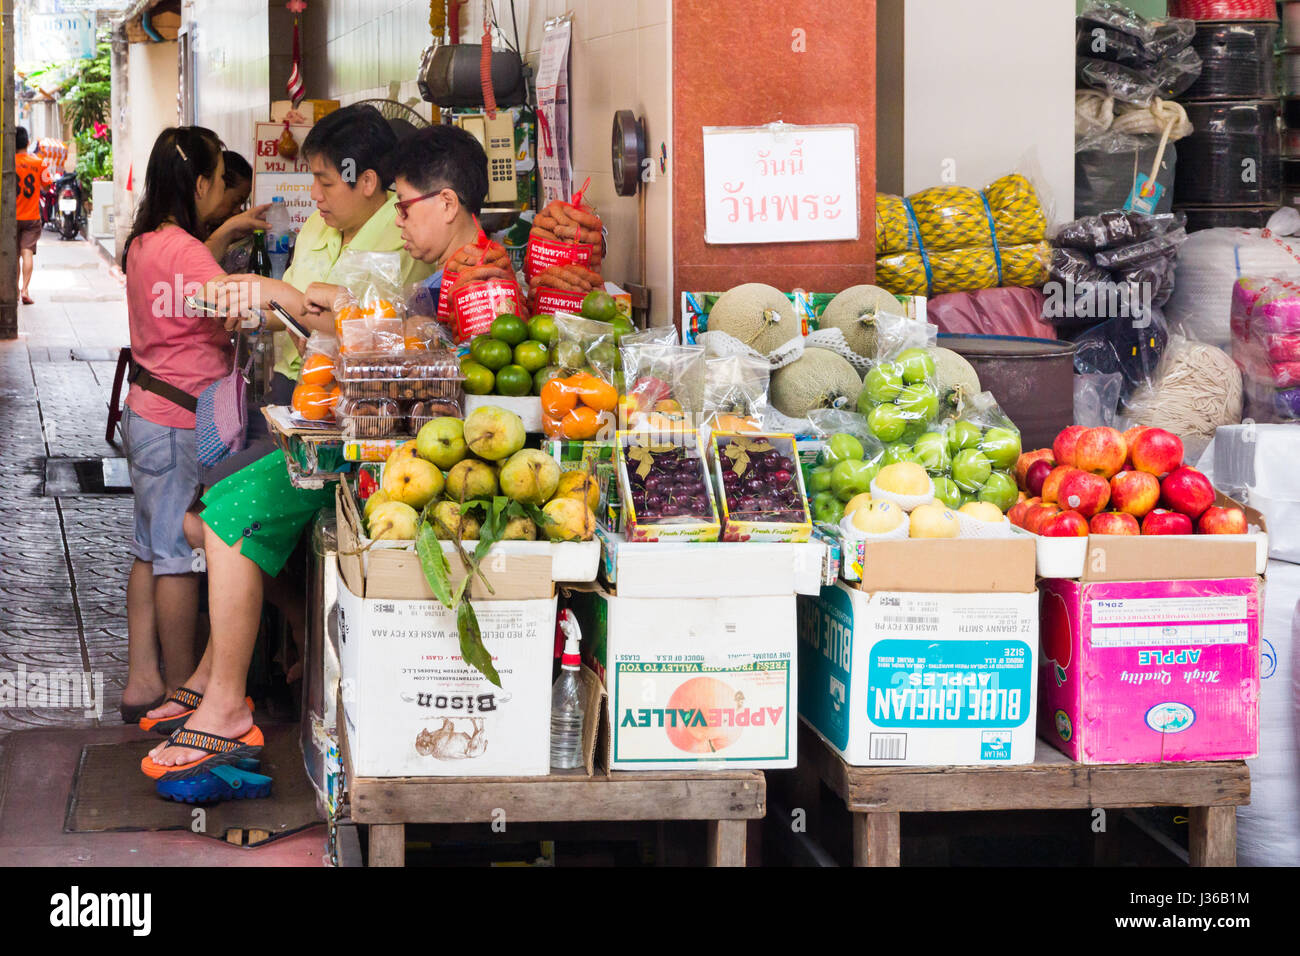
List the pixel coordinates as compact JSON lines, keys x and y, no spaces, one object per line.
{"x":695,"y":685}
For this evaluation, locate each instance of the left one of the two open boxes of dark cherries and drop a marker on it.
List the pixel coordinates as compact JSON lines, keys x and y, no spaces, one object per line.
{"x":665,"y":487}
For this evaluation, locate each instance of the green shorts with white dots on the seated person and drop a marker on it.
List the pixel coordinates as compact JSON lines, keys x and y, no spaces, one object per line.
{"x":261,"y":507}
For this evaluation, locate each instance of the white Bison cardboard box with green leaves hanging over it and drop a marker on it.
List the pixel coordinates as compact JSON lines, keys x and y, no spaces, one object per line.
{"x":414,"y":708}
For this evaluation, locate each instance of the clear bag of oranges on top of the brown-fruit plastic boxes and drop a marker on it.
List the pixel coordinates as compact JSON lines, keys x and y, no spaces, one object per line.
{"x":370,"y":313}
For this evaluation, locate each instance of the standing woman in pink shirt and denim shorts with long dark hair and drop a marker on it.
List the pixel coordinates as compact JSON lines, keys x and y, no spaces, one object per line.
{"x":179,"y":354}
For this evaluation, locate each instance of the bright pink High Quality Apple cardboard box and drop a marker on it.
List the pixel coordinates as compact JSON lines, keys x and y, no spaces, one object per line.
{"x":1151,"y":672}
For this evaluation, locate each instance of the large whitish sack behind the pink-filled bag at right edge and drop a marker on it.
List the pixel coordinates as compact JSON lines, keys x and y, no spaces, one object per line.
{"x":1211,"y":262}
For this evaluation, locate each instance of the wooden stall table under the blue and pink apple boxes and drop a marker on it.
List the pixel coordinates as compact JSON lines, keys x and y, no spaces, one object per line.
{"x":877,"y":797}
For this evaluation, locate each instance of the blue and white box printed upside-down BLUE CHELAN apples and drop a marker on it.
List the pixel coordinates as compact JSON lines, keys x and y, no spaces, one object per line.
{"x":921,"y":680}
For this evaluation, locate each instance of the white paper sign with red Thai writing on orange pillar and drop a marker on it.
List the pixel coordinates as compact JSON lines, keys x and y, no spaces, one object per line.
{"x":781,"y":184}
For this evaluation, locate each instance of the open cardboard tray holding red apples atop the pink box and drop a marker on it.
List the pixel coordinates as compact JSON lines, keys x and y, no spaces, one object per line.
{"x":1156,"y":557}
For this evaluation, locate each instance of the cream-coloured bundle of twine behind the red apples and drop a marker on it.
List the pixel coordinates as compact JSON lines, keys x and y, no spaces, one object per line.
{"x":1199,"y":388}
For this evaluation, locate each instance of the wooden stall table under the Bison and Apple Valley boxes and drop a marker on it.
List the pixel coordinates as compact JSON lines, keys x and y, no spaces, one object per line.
{"x":726,"y":801}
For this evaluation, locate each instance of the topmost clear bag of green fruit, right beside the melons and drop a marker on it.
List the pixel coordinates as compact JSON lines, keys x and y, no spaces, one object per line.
{"x":900,"y":392}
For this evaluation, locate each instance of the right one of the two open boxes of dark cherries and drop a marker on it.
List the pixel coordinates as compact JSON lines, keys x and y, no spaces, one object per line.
{"x":761,"y":488}
